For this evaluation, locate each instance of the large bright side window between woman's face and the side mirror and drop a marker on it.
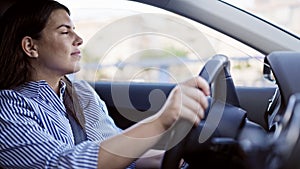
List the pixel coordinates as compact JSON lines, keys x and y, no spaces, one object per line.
{"x":127,"y":41}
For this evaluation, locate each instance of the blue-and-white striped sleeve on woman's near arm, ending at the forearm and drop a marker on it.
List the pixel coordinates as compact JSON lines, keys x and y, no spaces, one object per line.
{"x":24,"y":143}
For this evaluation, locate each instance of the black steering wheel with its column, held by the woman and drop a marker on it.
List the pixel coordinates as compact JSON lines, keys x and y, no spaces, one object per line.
{"x":217,"y":132}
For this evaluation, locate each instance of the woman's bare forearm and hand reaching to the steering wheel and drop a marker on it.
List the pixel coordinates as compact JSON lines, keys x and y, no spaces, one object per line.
{"x":186,"y":101}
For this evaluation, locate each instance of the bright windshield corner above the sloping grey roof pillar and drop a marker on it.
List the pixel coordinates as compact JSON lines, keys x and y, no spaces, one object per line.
{"x":284,"y":14}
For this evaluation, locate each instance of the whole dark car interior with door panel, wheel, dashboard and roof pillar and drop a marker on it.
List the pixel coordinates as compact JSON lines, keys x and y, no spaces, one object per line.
{"x":244,"y":127}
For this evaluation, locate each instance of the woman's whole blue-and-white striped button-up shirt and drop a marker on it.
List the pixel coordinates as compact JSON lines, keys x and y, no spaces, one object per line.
{"x":35,"y":132}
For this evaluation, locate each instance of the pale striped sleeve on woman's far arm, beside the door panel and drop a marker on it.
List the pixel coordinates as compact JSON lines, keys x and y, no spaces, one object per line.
{"x":99,"y":125}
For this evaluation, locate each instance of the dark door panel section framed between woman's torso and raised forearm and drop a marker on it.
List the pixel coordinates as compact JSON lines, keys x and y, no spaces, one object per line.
{"x":131,"y":102}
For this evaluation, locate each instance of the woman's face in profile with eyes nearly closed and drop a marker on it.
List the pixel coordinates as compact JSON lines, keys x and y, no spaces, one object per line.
{"x":57,"y":49}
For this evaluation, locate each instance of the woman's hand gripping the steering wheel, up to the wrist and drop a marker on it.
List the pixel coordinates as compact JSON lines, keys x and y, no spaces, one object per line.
{"x":186,"y":101}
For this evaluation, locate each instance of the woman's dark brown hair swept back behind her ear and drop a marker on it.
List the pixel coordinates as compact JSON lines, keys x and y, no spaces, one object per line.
{"x":24,"y":18}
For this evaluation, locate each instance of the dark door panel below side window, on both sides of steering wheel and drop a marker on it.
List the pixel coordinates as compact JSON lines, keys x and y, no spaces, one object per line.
{"x":145,"y":99}
